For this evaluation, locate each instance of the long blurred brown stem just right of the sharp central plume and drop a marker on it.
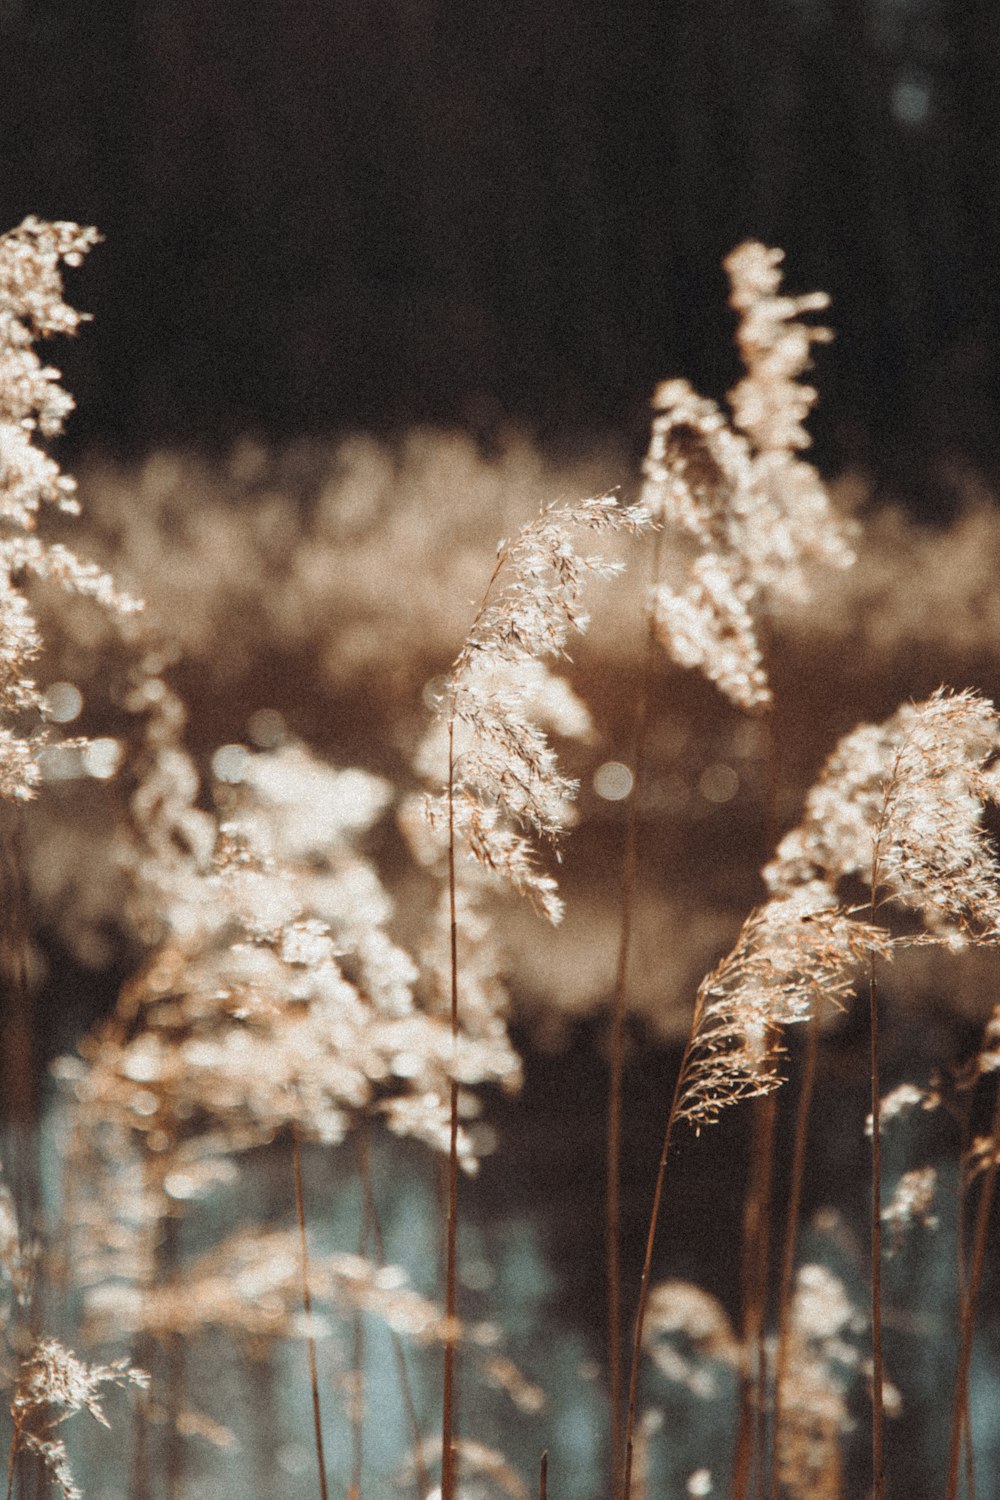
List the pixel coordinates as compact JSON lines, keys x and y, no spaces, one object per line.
{"x":630,"y":866}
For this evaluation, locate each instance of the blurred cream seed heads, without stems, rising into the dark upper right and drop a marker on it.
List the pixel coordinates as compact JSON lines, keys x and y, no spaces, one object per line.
{"x":752,"y":512}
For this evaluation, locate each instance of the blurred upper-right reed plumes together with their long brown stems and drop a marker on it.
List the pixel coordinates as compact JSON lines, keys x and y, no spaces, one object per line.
{"x":749,"y":520}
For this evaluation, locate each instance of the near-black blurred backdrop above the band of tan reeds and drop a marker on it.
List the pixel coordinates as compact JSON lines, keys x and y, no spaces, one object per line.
{"x":325,"y":215}
